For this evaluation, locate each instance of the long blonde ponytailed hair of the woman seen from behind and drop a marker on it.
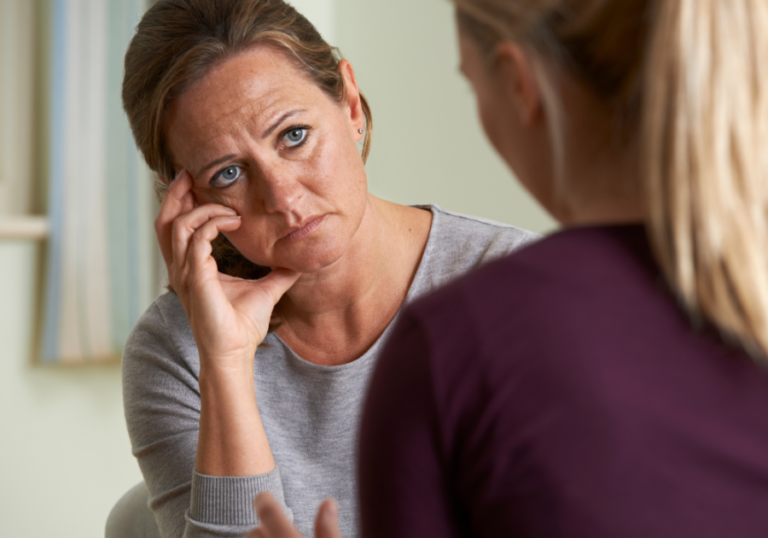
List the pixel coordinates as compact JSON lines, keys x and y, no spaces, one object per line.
{"x":686,"y":82}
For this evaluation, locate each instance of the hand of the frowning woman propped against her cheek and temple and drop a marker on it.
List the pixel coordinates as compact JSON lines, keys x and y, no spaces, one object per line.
{"x":229,"y":316}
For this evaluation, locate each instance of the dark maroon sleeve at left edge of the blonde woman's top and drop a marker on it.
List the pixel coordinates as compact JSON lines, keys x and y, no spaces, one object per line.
{"x":402,"y":489}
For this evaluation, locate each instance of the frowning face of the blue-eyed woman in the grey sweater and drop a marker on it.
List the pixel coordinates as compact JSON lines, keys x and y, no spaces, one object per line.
{"x":258,"y":136}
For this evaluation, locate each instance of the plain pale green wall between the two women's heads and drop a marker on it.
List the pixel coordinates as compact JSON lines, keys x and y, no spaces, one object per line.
{"x":428,"y":145}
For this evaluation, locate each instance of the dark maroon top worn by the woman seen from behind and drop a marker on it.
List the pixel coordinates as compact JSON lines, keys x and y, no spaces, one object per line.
{"x":560,"y":392}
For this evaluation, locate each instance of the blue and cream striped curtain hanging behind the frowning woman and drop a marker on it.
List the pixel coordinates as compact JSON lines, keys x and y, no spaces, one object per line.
{"x":101,"y":264}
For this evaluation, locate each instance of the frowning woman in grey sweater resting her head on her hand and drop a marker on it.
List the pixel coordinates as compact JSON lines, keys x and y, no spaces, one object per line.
{"x":287,"y":273}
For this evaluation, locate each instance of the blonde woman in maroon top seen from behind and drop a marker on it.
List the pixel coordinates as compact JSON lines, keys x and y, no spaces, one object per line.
{"x":610,"y":380}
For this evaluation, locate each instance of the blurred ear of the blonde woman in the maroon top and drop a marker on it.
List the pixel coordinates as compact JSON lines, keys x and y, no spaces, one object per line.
{"x":518,"y":79}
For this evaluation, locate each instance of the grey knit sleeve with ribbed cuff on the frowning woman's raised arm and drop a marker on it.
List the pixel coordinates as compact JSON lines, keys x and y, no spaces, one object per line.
{"x":162,"y":408}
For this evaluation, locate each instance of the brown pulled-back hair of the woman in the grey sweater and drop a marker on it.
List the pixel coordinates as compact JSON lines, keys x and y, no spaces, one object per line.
{"x":178,"y":42}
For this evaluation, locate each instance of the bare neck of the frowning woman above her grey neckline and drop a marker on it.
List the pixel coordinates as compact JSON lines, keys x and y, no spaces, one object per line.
{"x":334,"y":315}
